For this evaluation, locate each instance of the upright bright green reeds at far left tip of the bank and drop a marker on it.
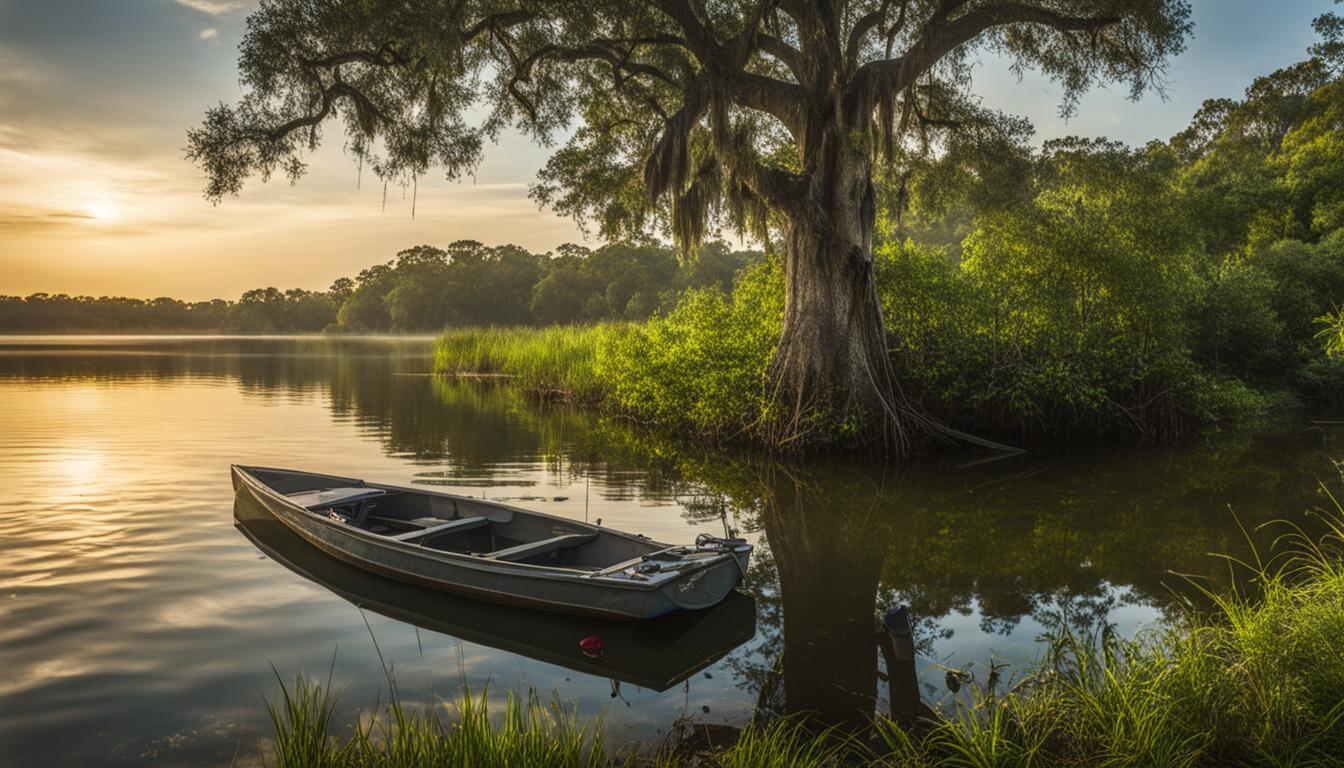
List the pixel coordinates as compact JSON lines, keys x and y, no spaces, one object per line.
{"x":553,"y":361}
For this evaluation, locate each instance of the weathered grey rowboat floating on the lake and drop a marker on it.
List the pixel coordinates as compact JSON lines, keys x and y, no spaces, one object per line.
{"x":497,"y":552}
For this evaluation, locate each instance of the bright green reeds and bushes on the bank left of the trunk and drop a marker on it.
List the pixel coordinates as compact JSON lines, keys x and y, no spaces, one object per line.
{"x":701,"y":368}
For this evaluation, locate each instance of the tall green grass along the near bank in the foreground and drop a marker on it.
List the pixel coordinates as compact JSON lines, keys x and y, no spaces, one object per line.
{"x":1253,"y":680}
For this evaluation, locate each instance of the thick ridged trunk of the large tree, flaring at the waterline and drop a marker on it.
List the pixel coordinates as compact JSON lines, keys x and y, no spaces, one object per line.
{"x":831,"y":377}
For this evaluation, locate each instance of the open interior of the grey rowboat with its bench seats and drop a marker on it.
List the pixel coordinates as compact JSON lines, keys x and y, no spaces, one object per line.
{"x":462,"y":525}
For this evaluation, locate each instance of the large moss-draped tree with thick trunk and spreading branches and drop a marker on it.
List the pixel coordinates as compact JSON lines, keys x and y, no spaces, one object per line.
{"x":769,"y":116}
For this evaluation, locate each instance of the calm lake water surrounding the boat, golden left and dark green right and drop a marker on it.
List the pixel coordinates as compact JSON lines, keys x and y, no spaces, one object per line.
{"x":142,"y":614}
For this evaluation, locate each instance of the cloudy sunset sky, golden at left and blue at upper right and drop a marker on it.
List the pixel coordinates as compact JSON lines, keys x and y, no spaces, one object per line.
{"x":96,"y":198}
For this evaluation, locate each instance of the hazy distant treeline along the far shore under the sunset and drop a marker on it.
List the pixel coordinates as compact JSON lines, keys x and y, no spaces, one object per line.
{"x":423,"y":290}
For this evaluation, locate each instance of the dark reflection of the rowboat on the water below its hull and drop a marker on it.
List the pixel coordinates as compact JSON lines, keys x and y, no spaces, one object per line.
{"x":657,"y":654}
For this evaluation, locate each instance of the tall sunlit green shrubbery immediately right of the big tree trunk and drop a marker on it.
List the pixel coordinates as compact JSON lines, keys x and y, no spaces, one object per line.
{"x":1065,"y":313}
